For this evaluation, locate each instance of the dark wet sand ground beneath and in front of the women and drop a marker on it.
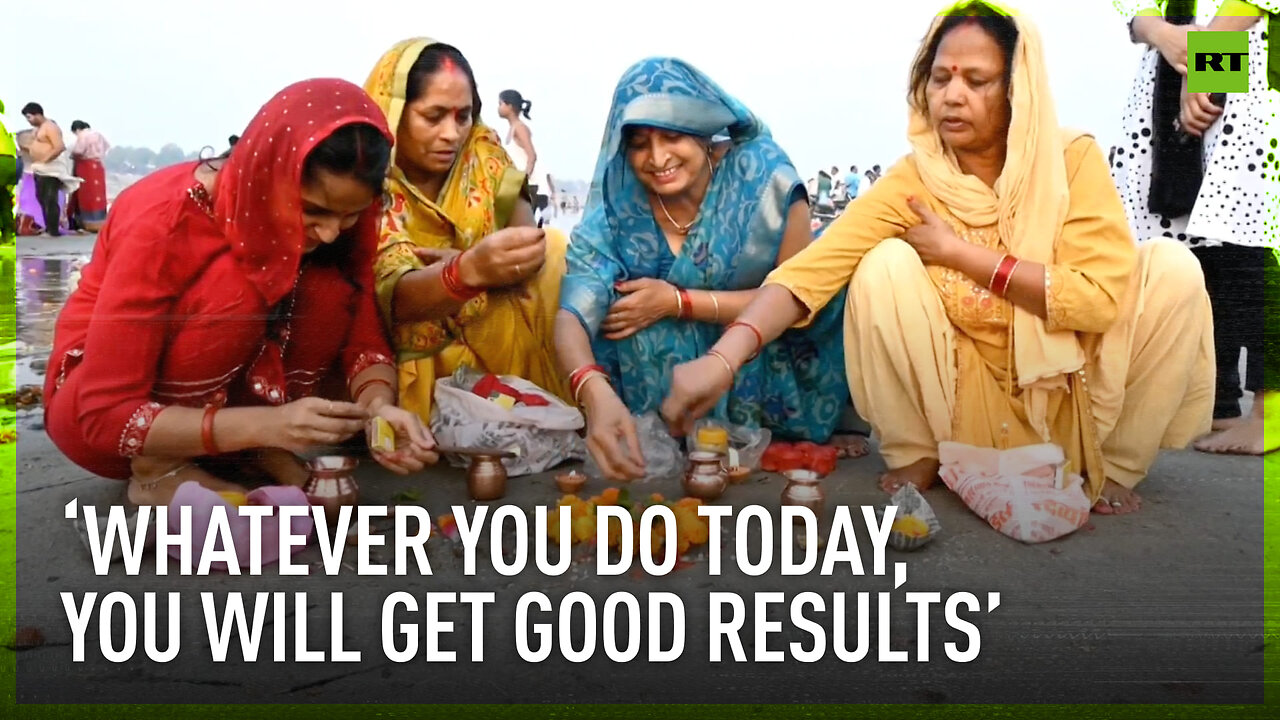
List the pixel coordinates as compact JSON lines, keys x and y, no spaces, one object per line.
{"x":1162,"y":607}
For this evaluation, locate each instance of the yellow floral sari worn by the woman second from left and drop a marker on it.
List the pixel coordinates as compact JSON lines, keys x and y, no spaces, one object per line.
{"x":506,"y":332}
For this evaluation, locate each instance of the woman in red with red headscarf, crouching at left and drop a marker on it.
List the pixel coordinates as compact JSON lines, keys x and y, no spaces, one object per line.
{"x":228,"y":311}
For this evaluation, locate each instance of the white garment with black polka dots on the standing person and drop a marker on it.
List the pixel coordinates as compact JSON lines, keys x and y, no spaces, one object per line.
{"x":1240,"y":161}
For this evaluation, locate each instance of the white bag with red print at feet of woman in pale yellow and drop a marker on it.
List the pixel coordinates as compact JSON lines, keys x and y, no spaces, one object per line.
{"x":1026,"y":493}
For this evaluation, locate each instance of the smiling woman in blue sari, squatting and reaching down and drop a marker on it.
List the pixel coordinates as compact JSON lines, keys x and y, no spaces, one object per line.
{"x":691,"y":208}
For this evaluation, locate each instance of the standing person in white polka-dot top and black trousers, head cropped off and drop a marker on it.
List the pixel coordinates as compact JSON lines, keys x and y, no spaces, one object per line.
{"x":1197,"y":172}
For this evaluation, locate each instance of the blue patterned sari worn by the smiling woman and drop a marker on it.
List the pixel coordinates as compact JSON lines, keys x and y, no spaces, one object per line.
{"x":797,"y":388}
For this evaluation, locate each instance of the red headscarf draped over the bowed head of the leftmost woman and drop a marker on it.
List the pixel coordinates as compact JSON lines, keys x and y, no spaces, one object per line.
{"x":259,"y":195}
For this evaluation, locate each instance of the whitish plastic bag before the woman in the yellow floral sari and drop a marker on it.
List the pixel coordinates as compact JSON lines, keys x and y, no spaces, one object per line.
{"x":545,"y":438}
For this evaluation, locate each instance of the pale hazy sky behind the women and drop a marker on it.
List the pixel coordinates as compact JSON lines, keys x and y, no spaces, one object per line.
{"x":829,"y":83}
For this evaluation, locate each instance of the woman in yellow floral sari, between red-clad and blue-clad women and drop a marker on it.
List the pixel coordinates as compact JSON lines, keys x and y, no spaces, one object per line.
{"x":463,"y":275}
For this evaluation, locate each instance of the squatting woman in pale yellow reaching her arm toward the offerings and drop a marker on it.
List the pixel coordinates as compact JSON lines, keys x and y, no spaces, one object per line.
{"x":996,"y":295}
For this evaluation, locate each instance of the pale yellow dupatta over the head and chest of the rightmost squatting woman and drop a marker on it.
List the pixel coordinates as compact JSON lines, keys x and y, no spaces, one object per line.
{"x":1028,"y":204}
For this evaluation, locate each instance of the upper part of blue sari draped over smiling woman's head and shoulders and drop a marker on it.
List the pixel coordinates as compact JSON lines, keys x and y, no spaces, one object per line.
{"x":743,"y":216}
